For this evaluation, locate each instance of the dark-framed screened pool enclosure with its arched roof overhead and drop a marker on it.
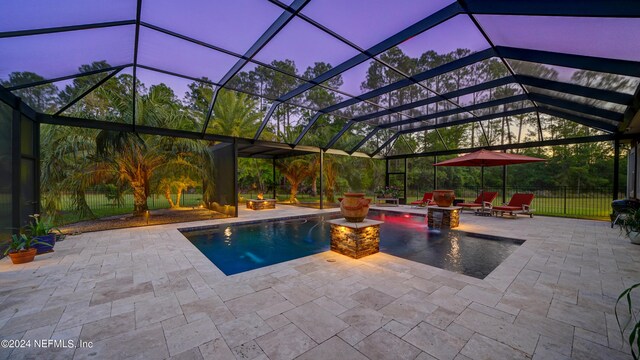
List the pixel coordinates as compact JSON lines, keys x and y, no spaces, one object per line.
{"x":392,"y":80}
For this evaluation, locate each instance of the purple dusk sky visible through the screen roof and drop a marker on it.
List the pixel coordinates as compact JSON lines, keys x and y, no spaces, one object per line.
{"x":235,"y":25}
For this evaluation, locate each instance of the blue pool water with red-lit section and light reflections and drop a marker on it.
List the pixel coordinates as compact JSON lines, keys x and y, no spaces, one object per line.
{"x":238,"y":248}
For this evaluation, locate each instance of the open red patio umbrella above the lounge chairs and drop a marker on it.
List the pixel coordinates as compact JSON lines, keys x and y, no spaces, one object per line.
{"x":484,"y":158}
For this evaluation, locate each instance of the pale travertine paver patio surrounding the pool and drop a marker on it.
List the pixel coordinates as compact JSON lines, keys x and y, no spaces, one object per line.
{"x":148,"y":293}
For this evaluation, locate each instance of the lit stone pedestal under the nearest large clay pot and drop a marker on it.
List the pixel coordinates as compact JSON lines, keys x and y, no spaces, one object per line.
{"x":355,"y":243}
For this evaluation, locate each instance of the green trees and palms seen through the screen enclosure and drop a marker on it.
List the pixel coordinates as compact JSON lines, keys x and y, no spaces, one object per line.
{"x":144,"y":164}
